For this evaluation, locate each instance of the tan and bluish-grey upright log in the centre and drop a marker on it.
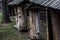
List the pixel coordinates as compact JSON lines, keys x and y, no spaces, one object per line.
{"x":34,"y":25}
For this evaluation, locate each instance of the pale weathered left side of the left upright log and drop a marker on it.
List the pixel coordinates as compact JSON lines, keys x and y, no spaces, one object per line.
{"x":18,"y":17}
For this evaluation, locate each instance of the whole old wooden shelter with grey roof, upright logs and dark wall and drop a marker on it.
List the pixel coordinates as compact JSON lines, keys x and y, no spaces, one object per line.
{"x":37,"y":13}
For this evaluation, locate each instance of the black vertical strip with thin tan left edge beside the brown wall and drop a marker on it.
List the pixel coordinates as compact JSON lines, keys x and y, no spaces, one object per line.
{"x":49,"y":24}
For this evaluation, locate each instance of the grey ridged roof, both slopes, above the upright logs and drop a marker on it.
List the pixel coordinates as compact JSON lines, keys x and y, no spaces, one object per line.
{"x":48,"y":3}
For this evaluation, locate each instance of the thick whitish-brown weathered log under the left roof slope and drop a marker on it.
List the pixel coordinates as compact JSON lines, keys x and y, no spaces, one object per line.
{"x":21,"y":19}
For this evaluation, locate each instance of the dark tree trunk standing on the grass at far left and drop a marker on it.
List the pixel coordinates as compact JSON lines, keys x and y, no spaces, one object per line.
{"x":5,"y":14}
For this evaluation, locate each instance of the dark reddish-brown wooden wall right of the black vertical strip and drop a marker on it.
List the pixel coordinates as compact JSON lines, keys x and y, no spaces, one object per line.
{"x":56,"y":24}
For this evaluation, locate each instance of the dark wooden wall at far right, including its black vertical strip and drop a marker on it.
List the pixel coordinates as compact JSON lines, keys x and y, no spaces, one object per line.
{"x":53,"y":24}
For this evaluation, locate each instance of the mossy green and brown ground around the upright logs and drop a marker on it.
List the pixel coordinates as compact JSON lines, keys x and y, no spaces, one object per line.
{"x":9,"y":32}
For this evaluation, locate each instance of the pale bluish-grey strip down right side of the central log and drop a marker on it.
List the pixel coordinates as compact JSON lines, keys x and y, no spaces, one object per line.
{"x":37,"y":26}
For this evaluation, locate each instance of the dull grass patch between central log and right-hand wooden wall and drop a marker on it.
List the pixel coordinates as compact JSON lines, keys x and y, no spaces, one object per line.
{"x":43,"y":32}
